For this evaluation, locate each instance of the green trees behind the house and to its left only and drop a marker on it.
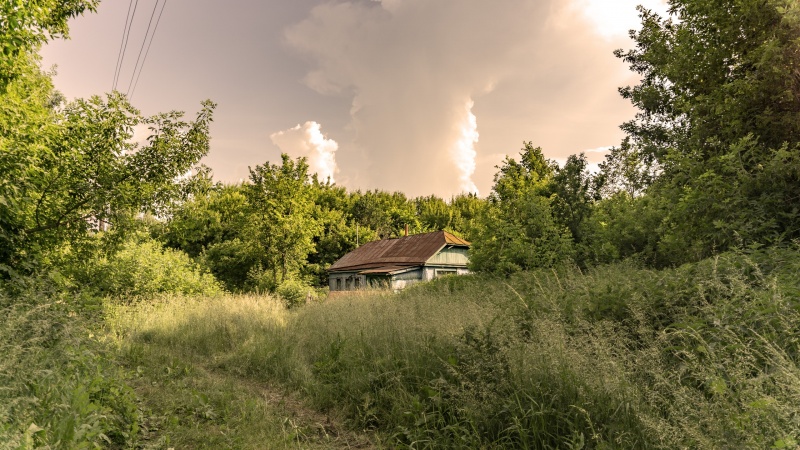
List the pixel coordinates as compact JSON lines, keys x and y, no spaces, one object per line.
{"x":285,"y":227}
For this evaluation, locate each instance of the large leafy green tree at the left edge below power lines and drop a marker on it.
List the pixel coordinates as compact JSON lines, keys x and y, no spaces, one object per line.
{"x":66,"y":168}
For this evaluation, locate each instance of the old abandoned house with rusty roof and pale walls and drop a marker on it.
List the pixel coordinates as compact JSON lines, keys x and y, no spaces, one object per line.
{"x":398,"y":263}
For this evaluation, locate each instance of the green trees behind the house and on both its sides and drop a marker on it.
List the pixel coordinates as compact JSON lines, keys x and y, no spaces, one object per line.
{"x":285,"y":227}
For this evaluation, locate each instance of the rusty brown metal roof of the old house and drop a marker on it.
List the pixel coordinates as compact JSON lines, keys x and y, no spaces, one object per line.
{"x":402,"y":252}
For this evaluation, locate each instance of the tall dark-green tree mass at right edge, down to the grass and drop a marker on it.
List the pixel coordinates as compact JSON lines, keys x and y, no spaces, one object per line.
{"x":719,"y":114}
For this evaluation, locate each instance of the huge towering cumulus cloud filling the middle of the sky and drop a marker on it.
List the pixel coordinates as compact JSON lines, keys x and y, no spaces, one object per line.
{"x":428,"y":78}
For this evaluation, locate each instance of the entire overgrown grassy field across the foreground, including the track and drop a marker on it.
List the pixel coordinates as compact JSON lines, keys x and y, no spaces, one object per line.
{"x":702,"y":356}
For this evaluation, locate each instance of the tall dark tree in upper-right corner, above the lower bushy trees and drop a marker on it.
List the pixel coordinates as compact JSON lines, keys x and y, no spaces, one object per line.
{"x":725,"y":69}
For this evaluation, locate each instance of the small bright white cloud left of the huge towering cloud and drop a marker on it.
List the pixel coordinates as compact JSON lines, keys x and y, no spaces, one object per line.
{"x":308,"y":141}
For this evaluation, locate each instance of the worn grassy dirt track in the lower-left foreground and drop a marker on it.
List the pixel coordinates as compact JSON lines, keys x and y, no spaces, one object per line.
{"x":193,"y":405}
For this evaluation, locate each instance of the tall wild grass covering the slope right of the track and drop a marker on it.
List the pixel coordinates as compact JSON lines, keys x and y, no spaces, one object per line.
{"x":703,"y":356}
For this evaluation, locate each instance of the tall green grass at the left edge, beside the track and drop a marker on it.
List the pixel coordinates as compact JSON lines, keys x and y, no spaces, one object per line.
{"x":59,"y":385}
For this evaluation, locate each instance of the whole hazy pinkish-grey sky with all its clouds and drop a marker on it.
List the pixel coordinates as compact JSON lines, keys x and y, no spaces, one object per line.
{"x":419,"y":96}
